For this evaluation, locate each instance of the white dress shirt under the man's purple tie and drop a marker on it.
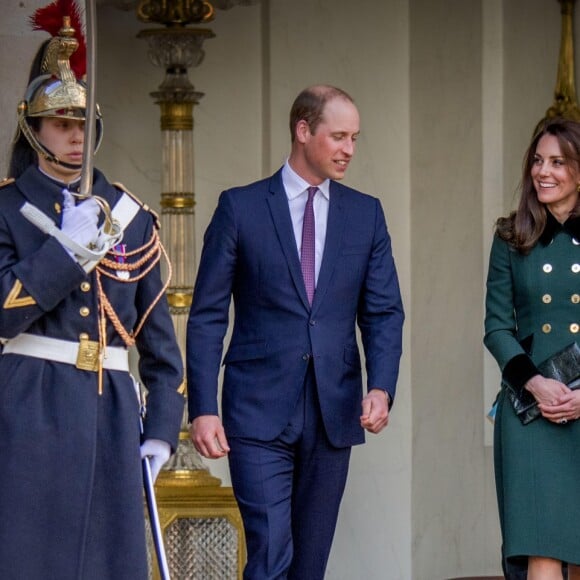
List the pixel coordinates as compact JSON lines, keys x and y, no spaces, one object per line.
{"x":296,"y":191}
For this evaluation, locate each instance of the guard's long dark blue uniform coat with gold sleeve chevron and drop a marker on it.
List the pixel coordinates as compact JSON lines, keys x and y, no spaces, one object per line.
{"x":71,"y":499}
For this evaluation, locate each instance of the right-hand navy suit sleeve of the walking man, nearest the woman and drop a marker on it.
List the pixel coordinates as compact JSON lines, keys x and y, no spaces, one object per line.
{"x":380,"y":311}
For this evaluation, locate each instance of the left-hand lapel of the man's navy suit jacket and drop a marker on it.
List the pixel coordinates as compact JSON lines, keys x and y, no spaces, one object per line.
{"x":278,"y":203}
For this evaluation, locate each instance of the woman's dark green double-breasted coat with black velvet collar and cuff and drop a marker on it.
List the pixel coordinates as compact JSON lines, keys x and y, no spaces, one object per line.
{"x":532,"y":312}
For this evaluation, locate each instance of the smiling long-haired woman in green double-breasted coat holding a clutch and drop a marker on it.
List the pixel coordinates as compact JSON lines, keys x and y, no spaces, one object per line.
{"x":533,"y":312}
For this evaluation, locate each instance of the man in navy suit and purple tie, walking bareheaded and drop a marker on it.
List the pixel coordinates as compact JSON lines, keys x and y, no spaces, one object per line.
{"x":293,"y":401}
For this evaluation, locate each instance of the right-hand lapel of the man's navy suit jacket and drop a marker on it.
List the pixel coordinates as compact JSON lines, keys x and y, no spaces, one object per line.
{"x":332,"y":245}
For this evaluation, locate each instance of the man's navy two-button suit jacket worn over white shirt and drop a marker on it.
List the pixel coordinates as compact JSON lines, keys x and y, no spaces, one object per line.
{"x":250,"y":253}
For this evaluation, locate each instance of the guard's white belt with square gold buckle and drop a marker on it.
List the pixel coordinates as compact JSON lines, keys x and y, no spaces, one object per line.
{"x":83,"y":354}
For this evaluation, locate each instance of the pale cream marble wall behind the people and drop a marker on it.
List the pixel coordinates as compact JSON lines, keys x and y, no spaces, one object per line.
{"x":449,"y":92}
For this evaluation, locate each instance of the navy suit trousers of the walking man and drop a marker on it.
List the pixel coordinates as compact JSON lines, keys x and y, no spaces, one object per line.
{"x":289,"y":492}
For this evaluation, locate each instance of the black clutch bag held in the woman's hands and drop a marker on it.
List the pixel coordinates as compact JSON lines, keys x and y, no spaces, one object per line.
{"x":564,"y":366}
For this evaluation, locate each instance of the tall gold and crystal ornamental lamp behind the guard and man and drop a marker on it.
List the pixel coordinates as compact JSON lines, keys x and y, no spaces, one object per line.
{"x":201,"y":524}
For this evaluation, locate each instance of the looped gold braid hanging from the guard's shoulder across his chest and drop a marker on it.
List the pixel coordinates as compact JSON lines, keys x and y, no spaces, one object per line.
{"x":121,"y":266}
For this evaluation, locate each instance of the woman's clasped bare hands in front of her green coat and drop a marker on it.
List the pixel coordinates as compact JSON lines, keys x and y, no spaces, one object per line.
{"x":556,"y":401}
